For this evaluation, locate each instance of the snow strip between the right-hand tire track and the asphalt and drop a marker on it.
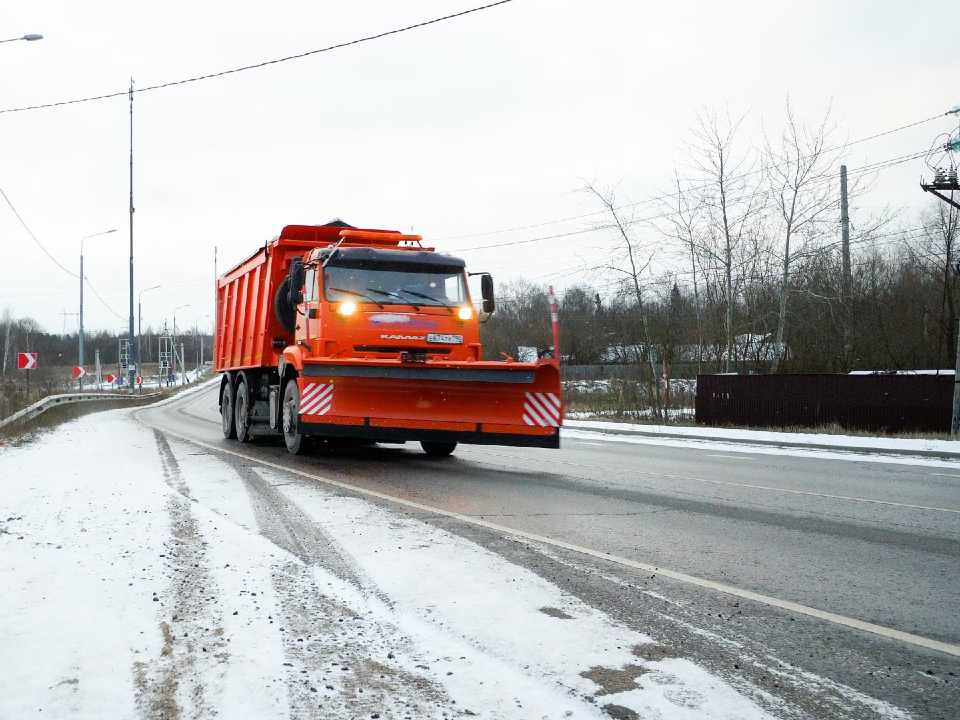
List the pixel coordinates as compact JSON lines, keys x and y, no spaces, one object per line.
{"x":511,"y":625}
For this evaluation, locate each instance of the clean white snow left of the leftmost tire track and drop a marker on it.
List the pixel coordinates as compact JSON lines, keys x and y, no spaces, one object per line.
{"x":80,"y":560}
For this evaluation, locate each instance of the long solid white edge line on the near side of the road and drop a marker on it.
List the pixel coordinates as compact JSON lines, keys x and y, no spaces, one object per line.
{"x":787,"y":605}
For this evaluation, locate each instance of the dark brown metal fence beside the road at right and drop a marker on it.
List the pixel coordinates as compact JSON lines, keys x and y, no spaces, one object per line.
{"x":895,"y":403}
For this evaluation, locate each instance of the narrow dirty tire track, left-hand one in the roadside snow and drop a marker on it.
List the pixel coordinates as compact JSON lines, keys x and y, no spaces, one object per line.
{"x":172,"y":685}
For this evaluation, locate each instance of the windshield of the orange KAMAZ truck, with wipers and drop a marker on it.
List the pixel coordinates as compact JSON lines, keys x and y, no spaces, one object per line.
{"x":427,"y":285}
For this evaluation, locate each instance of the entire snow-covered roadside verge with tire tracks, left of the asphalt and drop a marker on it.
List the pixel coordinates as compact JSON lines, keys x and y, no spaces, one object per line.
{"x":145,"y":577}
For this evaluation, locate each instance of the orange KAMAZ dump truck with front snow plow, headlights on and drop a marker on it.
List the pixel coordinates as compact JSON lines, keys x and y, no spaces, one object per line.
{"x":332,"y":332}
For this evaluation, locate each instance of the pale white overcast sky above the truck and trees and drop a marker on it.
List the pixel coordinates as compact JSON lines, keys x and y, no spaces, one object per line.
{"x":481,"y":123}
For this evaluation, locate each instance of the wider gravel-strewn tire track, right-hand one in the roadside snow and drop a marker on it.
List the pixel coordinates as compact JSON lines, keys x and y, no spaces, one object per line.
{"x":342,"y":659}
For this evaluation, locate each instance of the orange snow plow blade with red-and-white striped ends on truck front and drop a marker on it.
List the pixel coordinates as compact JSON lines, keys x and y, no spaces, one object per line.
{"x":483,"y":403}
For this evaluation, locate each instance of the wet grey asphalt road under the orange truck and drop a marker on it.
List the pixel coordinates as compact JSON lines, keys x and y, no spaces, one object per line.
{"x":868,"y":540}
